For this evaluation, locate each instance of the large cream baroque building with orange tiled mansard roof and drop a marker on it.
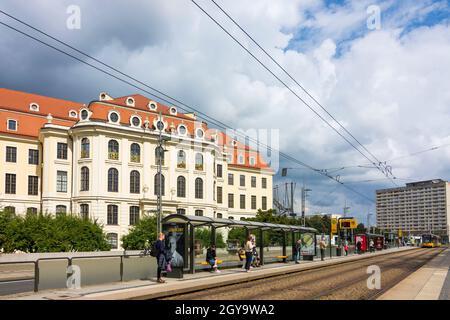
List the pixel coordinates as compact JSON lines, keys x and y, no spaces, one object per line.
{"x":99,"y":161}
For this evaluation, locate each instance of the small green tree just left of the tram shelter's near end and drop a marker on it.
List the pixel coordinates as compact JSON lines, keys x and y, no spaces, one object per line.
{"x":144,"y":230}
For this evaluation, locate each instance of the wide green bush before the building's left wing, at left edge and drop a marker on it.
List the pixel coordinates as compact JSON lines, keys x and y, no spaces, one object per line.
{"x":44,"y":233}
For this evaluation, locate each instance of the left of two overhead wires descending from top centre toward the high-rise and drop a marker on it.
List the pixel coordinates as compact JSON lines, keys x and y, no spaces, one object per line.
{"x":291,"y":90}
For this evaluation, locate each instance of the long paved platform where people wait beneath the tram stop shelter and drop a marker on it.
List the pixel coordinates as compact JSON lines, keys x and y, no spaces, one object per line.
{"x":149,"y":289}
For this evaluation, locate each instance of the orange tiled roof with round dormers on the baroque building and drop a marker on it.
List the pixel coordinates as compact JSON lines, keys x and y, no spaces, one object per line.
{"x":16,"y":105}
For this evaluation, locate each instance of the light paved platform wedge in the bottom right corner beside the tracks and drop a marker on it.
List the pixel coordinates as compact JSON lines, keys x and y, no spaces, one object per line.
{"x":431,"y":282}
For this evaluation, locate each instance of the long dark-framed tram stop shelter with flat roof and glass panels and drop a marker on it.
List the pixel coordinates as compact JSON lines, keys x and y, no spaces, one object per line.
{"x":180,"y":236}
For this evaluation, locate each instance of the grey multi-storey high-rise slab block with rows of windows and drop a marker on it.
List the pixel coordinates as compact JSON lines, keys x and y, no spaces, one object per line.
{"x":419,"y":207}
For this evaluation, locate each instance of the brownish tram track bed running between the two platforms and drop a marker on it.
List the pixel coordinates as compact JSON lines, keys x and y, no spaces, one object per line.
{"x":325,"y":282}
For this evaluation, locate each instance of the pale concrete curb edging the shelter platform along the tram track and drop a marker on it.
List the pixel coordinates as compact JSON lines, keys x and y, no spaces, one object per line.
{"x":188,"y":286}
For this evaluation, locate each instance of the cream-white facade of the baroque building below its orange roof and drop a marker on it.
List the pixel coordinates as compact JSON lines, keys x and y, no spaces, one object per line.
{"x":64,"y":161}
